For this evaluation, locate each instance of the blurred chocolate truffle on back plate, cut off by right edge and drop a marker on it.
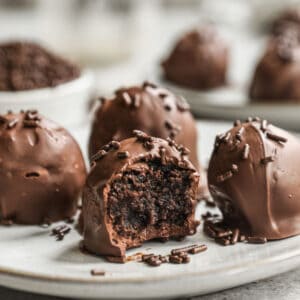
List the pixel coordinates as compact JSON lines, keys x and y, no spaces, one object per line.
{"x":277,"y":75}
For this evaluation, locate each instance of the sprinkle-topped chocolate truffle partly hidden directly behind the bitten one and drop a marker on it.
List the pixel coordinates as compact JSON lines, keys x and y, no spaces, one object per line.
{"x":149,"y":108}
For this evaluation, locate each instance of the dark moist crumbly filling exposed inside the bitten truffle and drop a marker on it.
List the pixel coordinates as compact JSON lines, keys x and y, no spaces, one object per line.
{"x":153,"y":197}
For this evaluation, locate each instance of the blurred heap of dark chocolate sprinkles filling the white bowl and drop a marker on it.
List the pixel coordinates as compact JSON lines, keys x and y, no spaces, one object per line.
{"x":26,"y":66}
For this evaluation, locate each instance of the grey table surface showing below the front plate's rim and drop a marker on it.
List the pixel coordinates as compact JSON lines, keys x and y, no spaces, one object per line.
{"x":282,"y":287}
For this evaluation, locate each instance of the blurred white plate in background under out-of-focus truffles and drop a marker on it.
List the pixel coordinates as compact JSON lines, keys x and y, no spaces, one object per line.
{"x":229,"y":103}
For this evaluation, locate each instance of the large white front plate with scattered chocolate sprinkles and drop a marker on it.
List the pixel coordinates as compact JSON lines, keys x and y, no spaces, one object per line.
{"x":31,"y":260}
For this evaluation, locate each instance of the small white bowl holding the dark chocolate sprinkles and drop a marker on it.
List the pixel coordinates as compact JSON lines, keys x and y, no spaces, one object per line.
{"x":68,"y":103}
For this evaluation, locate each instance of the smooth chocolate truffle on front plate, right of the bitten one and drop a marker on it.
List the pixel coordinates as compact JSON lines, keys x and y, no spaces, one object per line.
{"x":254,"y":178}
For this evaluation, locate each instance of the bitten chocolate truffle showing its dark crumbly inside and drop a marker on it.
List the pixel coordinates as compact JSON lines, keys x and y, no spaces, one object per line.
{"x":139,"y":189}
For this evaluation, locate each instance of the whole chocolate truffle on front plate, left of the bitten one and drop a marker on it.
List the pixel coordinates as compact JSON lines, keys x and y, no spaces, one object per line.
{"x":42,"y":170}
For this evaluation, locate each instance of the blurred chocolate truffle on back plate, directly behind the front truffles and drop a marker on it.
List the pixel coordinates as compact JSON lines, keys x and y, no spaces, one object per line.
{"x":199,"y":60}
